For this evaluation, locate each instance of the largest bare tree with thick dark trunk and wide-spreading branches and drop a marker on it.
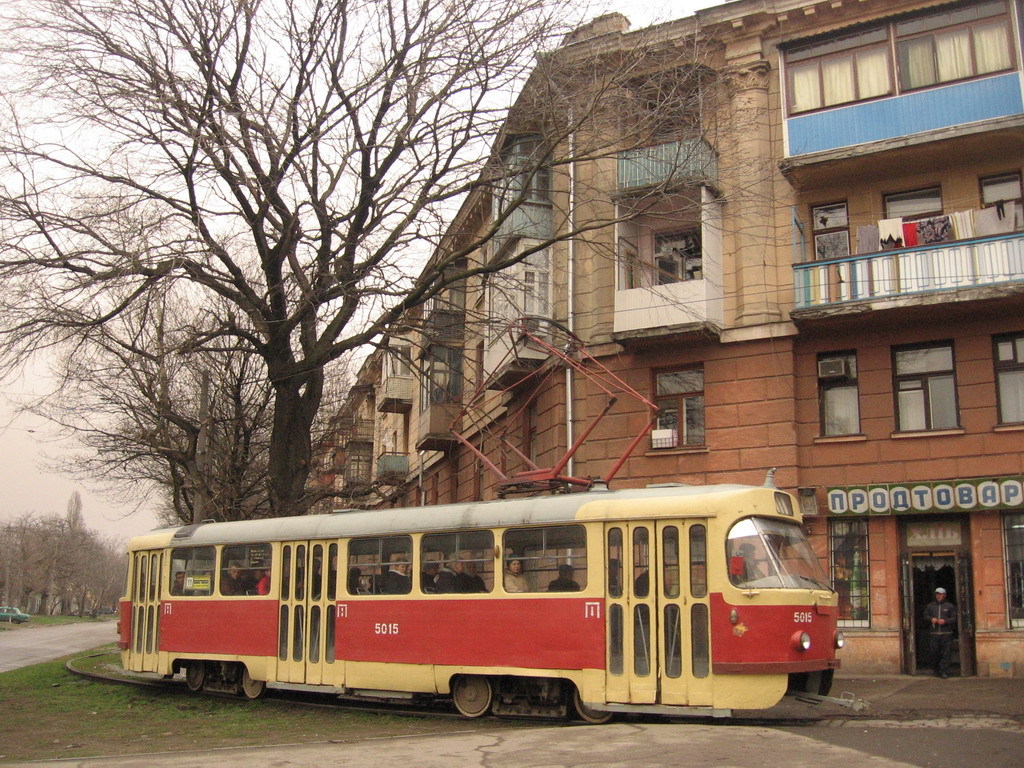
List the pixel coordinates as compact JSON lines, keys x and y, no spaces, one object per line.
{"x":293,"y":159}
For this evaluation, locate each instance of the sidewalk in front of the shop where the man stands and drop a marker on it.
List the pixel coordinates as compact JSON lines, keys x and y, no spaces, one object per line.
{"x":906,"y":697}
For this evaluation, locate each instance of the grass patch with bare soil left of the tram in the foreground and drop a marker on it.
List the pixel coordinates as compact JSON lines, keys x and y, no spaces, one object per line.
{"x":52,"y":713}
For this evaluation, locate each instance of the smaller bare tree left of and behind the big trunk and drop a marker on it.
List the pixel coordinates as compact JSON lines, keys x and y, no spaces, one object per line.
{"x":132,"y":394}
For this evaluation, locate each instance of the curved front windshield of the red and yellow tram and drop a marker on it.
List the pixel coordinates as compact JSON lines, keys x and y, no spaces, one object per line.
{"x":773,"y":554}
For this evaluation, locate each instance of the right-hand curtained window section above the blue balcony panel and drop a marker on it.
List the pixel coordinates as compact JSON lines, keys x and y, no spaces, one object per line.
{"x":959,"y":45}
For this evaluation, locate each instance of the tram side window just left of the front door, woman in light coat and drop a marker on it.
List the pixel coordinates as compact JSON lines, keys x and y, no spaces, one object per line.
{"x":550,"y":560}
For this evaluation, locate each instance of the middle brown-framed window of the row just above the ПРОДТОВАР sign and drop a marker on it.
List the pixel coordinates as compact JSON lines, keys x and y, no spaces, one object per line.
{"x":926,"y":389}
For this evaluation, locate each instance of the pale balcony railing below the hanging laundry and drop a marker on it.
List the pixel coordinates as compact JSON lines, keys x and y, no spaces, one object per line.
{"x":970,"y":264}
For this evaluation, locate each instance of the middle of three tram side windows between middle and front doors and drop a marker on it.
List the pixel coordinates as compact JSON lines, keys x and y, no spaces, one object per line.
{"x":460,"y":563}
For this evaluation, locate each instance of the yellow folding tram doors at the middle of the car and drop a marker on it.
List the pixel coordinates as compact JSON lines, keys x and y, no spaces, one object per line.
{"x":306,"y":621}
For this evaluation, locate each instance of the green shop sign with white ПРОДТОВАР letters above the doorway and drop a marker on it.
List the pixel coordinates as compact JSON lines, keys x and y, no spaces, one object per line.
{"x":971,"y":495}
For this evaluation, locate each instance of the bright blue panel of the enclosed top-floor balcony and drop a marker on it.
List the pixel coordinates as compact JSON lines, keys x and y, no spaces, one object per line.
{"x":915,"y":113}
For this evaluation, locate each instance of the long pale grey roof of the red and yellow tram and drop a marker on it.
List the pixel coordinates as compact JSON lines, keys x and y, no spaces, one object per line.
{"x":593,"y":505}
